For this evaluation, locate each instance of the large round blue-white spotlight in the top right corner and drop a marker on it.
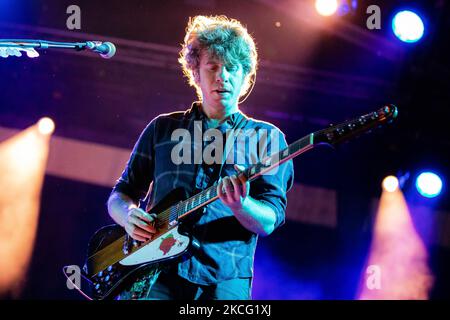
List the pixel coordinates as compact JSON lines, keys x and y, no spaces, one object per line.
{"x":408,"y":26}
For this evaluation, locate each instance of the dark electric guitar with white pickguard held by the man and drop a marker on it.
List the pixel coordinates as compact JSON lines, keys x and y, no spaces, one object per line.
{"x":113,"y":257}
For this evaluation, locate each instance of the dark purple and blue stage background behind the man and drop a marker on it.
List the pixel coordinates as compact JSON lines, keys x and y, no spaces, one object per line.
{"x":309,"y":77}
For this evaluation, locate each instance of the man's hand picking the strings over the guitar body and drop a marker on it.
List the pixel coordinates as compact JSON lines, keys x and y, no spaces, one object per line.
{"x":140,"y":225}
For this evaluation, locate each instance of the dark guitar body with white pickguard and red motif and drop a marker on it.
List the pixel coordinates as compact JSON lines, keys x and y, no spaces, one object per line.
{"x":114,"y":259}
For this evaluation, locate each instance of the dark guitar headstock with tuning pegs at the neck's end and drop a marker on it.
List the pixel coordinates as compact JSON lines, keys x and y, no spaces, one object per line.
{"x":344,"y":131}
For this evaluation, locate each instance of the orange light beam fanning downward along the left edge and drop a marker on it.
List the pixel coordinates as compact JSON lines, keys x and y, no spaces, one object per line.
{"x":23,"y":162}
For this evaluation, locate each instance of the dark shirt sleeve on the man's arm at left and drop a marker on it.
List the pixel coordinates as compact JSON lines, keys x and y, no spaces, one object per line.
{"x":138,"y":173}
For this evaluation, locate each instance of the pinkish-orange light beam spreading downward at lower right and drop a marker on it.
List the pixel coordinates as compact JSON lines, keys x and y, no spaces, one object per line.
{"x":397,"y":265}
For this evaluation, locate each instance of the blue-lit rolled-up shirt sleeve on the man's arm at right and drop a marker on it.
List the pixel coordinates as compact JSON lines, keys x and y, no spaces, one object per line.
{"x":271,"y":188}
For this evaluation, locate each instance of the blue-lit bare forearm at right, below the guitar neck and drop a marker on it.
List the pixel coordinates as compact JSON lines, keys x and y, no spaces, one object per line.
{"x":255,"y":216}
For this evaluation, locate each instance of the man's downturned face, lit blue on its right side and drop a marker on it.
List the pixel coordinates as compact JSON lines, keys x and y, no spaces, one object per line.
{"x":220,"y":84}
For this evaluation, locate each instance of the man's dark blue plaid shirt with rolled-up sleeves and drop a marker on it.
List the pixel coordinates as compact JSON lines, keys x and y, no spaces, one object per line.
{"x":226,"y":248}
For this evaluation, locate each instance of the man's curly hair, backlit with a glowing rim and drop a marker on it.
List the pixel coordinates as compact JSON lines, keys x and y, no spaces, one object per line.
{"x":223,"y":38}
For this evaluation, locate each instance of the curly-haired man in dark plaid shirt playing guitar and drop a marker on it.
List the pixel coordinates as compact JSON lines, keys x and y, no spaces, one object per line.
{"x":219,"y":58}
